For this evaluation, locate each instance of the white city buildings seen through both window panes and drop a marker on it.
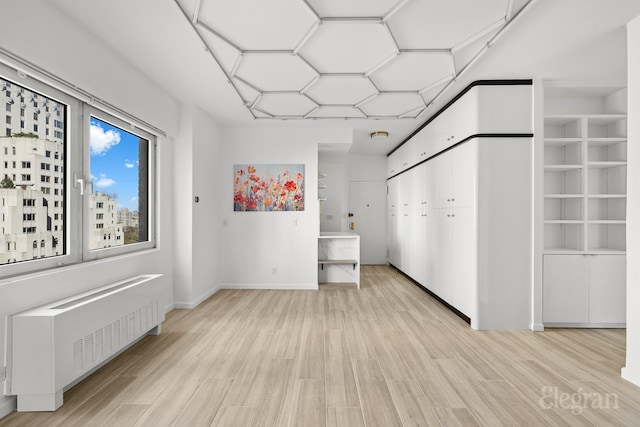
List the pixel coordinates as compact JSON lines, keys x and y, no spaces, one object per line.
{"x":33,"y":183}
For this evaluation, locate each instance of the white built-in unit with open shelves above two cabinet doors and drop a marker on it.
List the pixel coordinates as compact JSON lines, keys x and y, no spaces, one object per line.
{"x":585,"y":181}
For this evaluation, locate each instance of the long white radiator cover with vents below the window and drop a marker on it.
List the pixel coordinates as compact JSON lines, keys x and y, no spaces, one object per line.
{"x":55,"y":345}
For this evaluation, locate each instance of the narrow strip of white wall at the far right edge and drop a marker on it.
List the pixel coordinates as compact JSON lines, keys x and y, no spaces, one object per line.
{"x":631,"y":371}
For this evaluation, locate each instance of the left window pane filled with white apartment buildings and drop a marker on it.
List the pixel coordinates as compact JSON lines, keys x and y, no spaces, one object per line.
{"x":27,"y":206}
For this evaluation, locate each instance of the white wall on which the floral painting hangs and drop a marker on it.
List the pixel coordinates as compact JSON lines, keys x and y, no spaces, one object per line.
{"x":271,"y":249}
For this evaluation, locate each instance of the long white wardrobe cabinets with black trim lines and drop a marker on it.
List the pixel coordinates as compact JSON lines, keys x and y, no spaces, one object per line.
{"x":459,"y":208}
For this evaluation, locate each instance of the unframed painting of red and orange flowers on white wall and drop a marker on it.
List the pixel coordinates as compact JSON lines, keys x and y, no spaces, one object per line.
{"x":268,"y":187}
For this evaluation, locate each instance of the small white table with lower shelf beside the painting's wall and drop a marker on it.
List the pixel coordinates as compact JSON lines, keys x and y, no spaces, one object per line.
{"x":339,"y":258}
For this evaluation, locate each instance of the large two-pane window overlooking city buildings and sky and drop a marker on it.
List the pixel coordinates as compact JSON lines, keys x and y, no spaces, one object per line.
{"x":73,"y":178}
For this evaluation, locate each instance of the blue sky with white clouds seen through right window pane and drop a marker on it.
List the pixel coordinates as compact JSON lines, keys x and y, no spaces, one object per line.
{"x":114,"y":163}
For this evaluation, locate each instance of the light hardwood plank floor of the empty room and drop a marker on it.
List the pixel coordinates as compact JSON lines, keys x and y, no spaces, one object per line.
{"x":386,"y":355}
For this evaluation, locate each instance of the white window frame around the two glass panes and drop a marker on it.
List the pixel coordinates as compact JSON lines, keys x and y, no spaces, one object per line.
{"x":76,"y":122}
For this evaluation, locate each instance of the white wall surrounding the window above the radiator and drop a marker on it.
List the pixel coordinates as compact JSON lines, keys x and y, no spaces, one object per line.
{"x":83,"y":60}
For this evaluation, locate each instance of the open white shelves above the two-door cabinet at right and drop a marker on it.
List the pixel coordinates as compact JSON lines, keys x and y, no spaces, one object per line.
{"x":584,"y":174}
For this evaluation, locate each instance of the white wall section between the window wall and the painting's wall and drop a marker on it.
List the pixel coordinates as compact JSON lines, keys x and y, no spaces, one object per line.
{"x":196,"y":159}
